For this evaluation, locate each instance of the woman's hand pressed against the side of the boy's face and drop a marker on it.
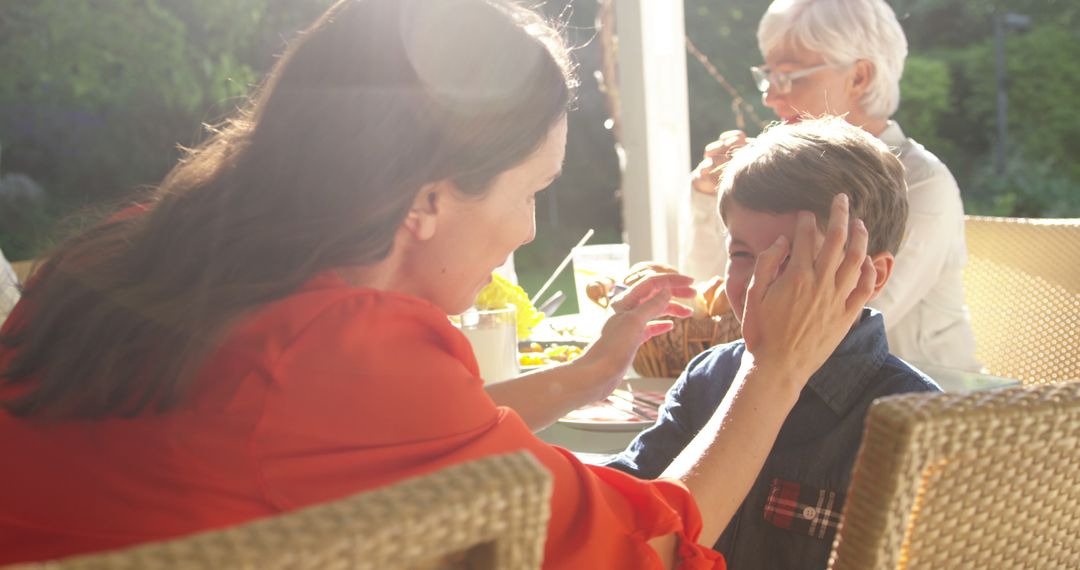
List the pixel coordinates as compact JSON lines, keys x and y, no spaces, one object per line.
{"x":795,"y":319}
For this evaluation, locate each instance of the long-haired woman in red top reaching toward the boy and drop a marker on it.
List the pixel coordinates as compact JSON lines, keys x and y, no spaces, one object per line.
{"x":272,"y":332}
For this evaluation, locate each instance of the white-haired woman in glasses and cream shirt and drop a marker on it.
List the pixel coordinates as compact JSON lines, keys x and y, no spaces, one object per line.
{"x":845,"y":58}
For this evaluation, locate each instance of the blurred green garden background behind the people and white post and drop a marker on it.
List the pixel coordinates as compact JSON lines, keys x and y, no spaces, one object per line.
{"x":97,"y":98}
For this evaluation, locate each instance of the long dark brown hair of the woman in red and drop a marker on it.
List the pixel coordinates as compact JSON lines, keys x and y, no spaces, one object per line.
{"x":374,"y":101}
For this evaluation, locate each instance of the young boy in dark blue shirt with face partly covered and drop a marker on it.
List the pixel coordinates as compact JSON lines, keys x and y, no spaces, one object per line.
{"x":790,"y":517}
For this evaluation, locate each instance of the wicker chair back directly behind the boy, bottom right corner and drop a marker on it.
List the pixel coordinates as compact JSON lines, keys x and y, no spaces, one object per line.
{"x":983,"y":480}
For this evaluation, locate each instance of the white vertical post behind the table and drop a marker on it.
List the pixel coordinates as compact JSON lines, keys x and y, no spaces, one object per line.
{"x":656,"y":130}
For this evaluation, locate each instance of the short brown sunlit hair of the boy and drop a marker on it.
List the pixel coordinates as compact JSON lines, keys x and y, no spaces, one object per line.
{"x":802,"y":167}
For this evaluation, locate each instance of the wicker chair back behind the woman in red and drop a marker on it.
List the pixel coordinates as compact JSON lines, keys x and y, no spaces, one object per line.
{"x":491,"y":513}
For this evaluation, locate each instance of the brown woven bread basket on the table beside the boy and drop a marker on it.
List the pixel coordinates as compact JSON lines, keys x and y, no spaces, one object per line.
{"x":668,"y":355}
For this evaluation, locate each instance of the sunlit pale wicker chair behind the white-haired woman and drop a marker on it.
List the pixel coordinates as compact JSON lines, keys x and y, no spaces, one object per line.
{"x":1022,"y":286}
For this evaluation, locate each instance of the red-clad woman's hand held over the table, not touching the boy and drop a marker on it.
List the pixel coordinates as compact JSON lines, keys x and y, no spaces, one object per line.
{"x":634,"y":322}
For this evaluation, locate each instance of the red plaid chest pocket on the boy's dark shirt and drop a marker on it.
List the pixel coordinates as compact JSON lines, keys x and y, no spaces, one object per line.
{"x":804,"y":510}
